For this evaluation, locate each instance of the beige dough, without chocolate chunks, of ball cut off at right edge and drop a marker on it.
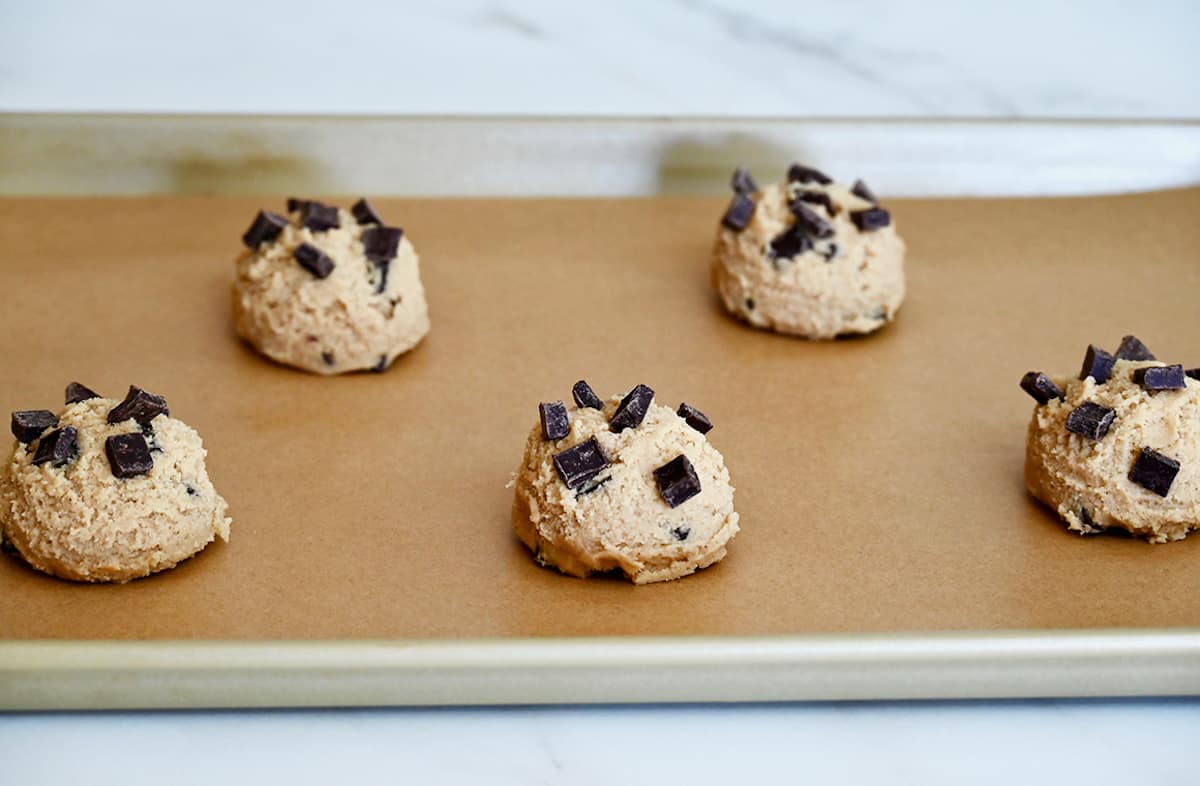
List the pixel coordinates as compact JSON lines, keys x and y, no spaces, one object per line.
{"x":1073,"y":475}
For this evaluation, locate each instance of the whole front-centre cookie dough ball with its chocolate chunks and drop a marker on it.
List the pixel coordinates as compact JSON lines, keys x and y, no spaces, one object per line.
{"x":623,"y":484}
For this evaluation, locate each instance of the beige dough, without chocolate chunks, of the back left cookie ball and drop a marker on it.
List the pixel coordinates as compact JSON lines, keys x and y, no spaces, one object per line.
{"x":335,"y":325}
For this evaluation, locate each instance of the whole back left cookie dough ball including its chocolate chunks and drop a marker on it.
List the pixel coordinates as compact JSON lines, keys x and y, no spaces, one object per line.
{"x":329,"y":291}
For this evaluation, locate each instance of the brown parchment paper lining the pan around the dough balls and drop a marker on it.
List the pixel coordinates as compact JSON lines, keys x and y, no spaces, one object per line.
{"x":879,"y":479}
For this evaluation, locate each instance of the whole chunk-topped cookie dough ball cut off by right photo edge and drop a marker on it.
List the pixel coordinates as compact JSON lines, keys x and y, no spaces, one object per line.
{"x":1120,"y":446}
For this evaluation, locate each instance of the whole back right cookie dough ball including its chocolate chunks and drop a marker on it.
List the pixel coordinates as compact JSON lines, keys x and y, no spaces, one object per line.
{"x":809,"y":257}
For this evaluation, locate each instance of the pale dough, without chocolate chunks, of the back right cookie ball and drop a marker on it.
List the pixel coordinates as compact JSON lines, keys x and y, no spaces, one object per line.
{"x":857,"y":291}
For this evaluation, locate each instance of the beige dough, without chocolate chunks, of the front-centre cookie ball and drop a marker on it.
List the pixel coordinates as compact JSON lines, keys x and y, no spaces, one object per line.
{"x":625,"y":524}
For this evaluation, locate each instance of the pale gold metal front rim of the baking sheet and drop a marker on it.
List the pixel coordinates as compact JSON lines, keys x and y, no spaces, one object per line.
{"x":176,"y":675}
